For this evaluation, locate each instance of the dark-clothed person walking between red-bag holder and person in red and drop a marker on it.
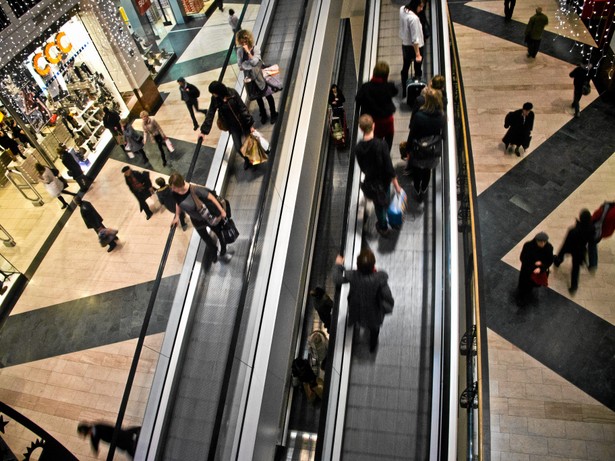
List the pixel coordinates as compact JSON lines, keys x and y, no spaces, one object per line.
{"x":575,"y":244}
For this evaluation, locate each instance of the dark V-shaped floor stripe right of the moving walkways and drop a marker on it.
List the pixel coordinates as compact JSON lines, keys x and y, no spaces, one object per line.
{"x":568,"y":339}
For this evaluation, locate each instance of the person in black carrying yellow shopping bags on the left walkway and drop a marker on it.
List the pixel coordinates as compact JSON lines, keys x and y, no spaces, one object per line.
{"x":232,"y":113}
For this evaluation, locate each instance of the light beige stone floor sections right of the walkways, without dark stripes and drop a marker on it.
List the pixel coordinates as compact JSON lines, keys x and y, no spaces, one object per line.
{"x":535,"y":414}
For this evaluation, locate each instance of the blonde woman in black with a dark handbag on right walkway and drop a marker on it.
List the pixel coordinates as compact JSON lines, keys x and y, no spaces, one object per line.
{"x":424,"y":143}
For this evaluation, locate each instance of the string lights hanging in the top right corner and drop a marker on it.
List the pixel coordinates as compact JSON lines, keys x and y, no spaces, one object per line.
{"x":599,"y":21}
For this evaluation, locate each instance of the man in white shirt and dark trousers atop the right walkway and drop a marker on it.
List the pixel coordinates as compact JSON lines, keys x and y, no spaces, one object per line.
{"x":412,"y":41}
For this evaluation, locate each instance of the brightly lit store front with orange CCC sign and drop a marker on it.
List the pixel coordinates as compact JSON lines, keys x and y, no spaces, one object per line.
{"x":54,"y":93}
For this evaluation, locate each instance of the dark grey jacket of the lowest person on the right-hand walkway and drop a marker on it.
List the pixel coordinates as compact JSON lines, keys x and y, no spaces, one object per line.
{"x":366,"y":295}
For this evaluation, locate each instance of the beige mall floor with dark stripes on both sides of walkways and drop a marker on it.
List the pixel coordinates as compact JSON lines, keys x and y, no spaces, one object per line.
{"x":550,"y":364}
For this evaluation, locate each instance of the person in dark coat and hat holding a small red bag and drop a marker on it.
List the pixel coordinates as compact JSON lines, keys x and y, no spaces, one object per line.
{"x":536,"y":258}
